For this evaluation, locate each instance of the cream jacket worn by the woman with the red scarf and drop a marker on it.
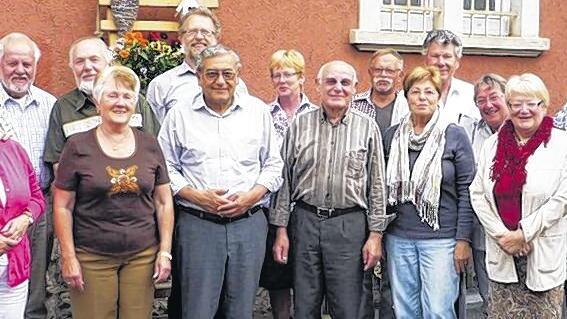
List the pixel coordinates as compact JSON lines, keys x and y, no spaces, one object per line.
{"x":544,"y":202}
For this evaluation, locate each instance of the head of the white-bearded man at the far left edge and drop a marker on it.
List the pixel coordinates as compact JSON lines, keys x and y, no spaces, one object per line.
{"x":18,"y":60}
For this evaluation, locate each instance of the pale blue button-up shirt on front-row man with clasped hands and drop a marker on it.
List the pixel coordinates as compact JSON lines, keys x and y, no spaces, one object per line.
{"x":235,"y":150}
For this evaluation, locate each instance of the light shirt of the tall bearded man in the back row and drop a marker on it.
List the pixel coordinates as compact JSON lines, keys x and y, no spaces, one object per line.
{"x":178,"y":85}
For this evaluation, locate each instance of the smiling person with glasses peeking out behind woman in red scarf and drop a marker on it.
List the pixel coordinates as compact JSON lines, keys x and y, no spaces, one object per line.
{"x":490,"y":100}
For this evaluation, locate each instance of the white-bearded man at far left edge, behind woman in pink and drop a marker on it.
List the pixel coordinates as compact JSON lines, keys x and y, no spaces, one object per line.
{"x":26,"y":108}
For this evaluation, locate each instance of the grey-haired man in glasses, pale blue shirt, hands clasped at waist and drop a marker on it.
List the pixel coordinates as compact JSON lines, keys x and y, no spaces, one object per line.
{"x":223,"y":161}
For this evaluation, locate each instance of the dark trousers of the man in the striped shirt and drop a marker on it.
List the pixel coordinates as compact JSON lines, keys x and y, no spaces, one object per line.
{"x":328,"y":262}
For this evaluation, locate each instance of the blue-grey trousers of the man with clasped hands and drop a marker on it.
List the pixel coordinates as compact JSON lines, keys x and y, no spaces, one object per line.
{"x":212,"y":258}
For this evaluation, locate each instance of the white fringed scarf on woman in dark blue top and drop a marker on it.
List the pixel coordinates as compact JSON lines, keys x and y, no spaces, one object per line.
{"x":422,"y":186}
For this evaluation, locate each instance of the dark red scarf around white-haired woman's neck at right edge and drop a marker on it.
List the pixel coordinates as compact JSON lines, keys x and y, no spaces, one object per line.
{"x":509,"y":169}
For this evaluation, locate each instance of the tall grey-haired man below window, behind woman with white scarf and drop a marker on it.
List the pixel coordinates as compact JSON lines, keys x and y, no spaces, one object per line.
{"x":444,"y":50}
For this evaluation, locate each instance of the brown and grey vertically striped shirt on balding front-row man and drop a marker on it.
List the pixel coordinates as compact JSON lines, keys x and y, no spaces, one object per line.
{"x":333,"y":166}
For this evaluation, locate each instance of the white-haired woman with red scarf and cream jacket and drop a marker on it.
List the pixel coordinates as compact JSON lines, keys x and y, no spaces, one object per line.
{"x":520,"y":195}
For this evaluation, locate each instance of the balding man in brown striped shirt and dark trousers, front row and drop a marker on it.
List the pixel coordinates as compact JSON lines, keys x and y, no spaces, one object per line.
{"x":334,"y":185}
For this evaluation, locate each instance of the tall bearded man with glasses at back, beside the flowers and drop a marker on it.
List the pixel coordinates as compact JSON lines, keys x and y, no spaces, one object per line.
{"x":198,"y":29}
